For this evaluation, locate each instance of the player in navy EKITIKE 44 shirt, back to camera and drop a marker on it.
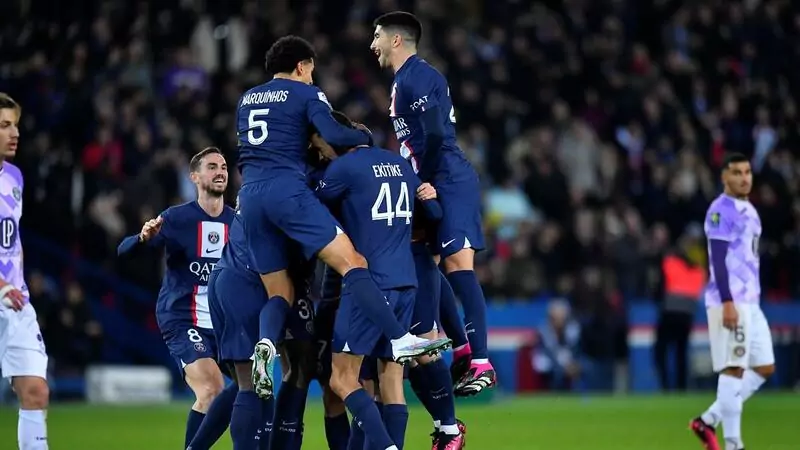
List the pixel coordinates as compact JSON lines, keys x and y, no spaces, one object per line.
{"x":374,"y":190}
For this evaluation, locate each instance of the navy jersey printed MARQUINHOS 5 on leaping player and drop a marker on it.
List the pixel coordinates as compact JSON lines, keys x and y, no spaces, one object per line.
{"x":274,"y":122}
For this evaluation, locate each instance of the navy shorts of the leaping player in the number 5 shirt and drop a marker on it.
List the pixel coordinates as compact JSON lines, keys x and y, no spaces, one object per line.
{"x":281,"y":210}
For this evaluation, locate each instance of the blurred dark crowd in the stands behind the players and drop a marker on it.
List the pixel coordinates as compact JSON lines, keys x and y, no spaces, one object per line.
{"x":597,"y":127}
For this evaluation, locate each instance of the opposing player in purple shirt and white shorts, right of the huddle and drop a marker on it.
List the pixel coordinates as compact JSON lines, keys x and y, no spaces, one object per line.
{"x":740,"y":338}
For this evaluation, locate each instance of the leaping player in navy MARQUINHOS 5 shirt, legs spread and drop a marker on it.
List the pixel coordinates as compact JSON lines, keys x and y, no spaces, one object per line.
{"x":277,"y":206}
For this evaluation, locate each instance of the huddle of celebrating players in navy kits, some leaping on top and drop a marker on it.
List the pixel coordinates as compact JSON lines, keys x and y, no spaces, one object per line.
{"x":395,"y":235}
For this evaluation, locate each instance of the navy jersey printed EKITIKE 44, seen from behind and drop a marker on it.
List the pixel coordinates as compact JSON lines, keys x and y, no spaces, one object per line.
{"x":375,"y":191}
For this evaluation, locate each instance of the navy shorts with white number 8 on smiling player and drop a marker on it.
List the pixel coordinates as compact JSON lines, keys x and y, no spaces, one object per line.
{"x":188,"y":343}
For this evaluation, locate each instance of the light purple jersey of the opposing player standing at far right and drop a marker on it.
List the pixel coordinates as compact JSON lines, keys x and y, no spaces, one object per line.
{"x":737,"y":223}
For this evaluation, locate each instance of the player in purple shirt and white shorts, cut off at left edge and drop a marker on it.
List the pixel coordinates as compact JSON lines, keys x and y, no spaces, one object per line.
{"x":22,"y":353}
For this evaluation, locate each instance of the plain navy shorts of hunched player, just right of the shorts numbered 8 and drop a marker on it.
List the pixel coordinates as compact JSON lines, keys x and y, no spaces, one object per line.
{"x":235,"y":301}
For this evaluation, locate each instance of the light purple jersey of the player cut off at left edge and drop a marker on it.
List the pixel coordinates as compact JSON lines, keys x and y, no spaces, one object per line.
{"x":10,"y":214}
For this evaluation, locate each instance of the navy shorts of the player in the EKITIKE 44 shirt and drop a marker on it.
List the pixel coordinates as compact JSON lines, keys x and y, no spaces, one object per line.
{"x":354,"y":333}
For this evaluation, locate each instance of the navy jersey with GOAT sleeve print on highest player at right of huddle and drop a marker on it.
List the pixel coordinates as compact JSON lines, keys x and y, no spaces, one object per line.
{"x":417,"y":87}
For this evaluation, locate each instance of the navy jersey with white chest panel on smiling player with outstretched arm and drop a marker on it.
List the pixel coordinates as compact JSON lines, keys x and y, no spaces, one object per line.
{"x":193,"y":243}
